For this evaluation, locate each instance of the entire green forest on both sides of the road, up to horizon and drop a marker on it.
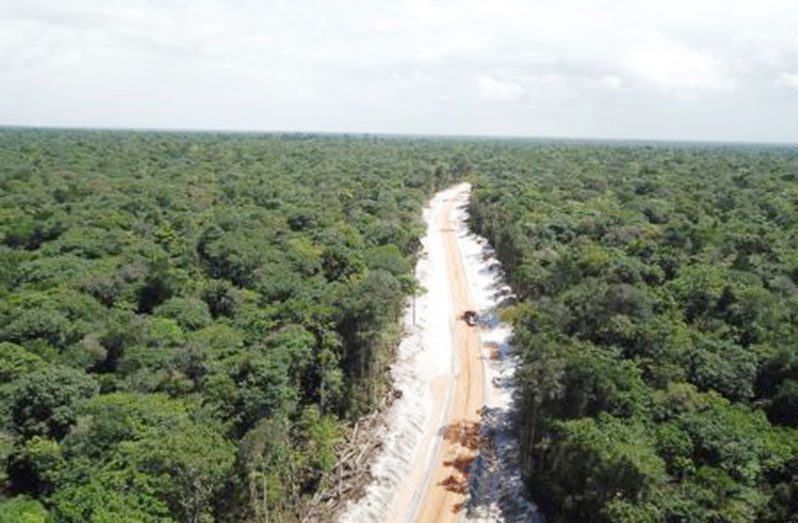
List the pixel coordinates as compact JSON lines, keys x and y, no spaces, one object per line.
{"x":189,"y":322}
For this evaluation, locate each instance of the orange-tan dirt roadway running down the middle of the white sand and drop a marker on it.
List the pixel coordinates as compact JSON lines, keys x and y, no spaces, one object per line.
{"x":445,"y":483}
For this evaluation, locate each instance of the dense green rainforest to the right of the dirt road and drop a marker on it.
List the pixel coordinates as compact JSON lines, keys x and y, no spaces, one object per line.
{"x":657,"y":326}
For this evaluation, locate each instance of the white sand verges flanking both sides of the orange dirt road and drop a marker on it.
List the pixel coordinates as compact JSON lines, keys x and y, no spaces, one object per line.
{"x":425,"y":361}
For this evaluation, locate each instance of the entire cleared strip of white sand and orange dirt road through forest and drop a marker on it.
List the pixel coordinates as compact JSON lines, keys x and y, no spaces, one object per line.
{"x":456,"y":384}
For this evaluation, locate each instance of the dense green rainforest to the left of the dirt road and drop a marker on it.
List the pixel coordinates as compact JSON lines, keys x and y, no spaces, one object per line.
{"x":187,"y":321}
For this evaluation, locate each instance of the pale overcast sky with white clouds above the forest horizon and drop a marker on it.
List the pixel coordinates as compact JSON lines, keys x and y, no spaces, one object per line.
{"x":717,"y":70}
